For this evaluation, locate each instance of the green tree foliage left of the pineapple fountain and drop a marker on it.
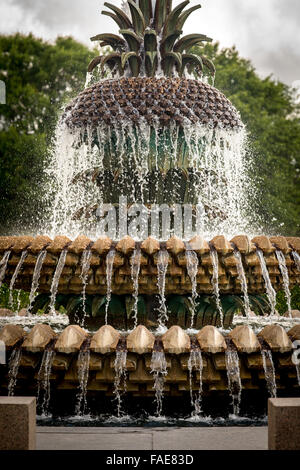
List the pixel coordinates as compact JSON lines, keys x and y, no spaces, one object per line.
{"x":39,"y":78}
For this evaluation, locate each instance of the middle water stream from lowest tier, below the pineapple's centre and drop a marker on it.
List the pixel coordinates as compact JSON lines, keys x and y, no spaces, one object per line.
{"x":159,"y":371}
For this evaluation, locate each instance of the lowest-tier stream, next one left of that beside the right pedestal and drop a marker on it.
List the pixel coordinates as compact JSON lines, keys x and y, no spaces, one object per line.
{"x":234,"y":378}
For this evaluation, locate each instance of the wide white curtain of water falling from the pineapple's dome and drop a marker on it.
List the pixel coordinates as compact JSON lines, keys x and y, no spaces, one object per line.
{"x":217,"y":157}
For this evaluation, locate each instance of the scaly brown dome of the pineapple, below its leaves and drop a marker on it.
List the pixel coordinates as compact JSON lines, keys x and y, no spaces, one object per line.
{"x":158,"y":102}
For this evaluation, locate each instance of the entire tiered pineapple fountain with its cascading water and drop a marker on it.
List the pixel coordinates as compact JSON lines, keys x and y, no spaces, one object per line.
{"x":173,"y":301}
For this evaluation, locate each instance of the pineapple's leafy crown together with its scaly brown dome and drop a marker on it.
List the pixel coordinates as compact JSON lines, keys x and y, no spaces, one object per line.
{"x":152,"y":65}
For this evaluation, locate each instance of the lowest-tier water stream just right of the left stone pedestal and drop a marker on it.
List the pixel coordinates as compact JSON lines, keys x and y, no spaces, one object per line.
{"x":44,"y":380}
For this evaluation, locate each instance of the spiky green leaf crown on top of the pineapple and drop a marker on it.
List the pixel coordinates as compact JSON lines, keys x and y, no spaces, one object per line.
{"x":152,"y":40}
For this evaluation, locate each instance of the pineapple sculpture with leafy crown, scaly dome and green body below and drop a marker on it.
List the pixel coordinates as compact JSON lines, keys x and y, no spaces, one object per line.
{"x":146,"y":118}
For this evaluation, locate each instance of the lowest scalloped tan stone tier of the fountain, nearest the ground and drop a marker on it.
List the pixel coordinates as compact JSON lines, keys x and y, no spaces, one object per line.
{"x":140,"y":344}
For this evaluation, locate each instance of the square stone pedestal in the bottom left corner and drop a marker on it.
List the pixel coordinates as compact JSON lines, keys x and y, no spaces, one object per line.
{"x":17,"y":423}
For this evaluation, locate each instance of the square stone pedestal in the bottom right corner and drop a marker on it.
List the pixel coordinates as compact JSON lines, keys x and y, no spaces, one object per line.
{"x":284,"y":423}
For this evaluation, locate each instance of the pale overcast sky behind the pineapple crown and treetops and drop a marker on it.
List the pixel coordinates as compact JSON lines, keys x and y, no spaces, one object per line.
{"x":265,"y":31}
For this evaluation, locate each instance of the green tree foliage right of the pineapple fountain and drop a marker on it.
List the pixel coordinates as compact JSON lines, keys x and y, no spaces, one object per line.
{"x":272,"y":119}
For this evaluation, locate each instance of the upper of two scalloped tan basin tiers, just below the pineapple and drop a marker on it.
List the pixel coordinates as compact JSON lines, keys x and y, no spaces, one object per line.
{"x":177,"y":279}
